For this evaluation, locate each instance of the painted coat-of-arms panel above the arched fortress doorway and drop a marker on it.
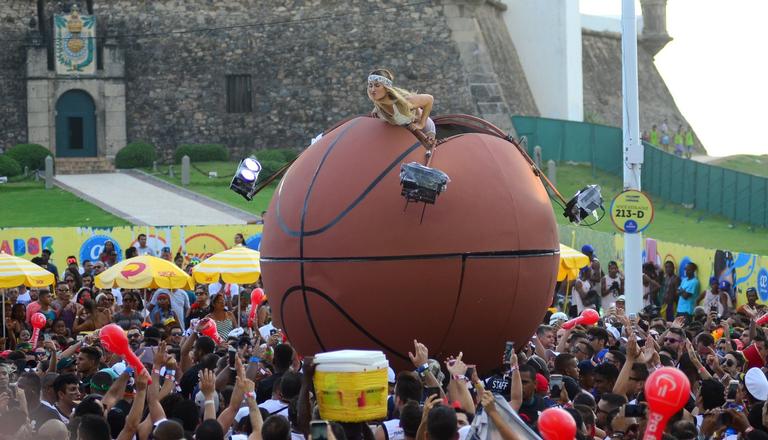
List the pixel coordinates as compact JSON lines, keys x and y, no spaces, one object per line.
{"x":75,"y":48}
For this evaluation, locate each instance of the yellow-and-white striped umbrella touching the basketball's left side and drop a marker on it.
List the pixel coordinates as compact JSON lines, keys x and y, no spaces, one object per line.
{"x":239,"y":265}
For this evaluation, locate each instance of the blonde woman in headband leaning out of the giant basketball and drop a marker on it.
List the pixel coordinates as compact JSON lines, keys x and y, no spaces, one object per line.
{"x":398,"y":106}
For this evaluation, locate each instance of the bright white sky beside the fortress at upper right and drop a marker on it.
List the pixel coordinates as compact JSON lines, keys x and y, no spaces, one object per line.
{"x":716,"y":68}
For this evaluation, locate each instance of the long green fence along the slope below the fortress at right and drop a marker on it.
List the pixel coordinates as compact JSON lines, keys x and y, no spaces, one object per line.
{"x":738,"y":196}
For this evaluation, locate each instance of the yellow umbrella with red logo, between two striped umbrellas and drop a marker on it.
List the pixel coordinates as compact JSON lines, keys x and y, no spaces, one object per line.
{"x":144,"y":272}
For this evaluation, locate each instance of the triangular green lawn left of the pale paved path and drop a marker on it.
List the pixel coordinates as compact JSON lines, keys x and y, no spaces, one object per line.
{"x":29,"y":204}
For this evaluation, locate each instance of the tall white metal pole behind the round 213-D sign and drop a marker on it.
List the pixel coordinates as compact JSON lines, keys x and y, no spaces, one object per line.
{"x":633,"y":153}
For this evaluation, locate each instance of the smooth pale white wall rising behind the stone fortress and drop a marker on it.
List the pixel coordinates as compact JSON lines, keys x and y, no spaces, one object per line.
{"x":547,"y":34}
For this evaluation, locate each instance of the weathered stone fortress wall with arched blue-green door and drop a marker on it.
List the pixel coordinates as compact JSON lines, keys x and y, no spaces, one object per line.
{"x":249,"y":74}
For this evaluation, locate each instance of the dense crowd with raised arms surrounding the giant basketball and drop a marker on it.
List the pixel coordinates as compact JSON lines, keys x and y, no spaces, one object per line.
{"x":254,"y":385}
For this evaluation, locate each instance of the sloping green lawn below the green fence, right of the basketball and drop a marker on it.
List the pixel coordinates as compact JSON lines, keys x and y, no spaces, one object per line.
{"x":671,"y":222}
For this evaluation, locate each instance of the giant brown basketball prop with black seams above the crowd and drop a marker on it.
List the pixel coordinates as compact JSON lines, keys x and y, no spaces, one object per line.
{"x":347,"y":265}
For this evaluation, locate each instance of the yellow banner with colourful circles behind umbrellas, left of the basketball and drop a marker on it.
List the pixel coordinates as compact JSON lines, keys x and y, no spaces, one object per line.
{"x":87,"y":243}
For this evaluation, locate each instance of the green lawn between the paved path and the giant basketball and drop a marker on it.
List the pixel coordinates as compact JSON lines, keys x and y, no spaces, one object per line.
{"x":217,"y":188}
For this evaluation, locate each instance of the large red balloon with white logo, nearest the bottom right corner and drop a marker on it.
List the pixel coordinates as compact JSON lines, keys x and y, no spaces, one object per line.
{"x":667,"y":390}
